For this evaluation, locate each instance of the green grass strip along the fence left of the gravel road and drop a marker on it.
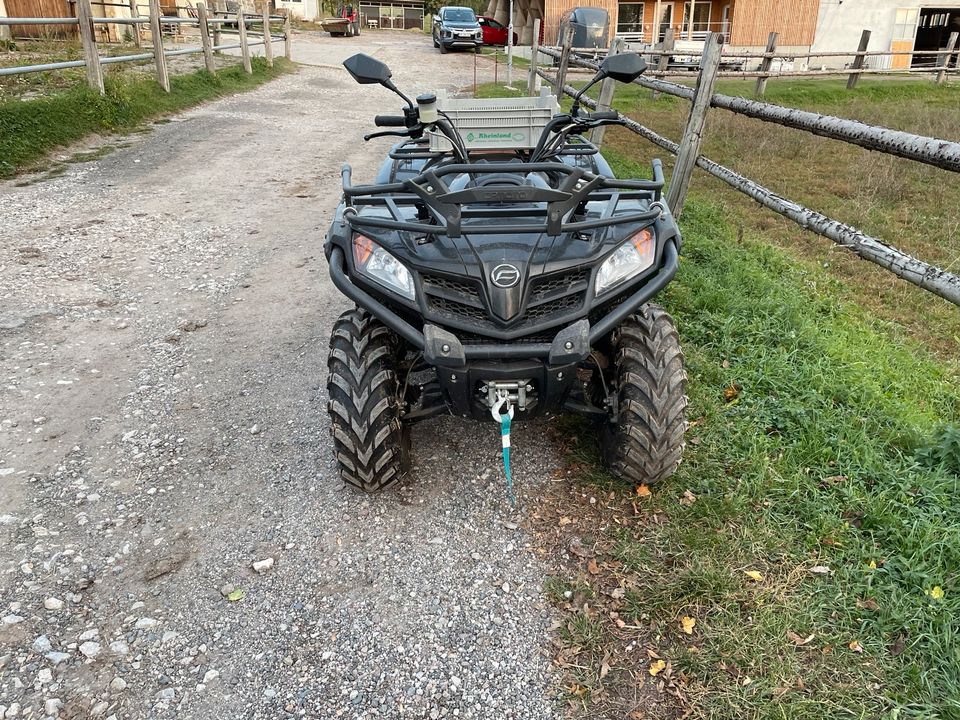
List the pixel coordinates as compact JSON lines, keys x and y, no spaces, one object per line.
{"x":30,"y":129}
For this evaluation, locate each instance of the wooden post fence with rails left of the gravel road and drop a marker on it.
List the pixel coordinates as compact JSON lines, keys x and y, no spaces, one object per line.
{"x":210,"y":29}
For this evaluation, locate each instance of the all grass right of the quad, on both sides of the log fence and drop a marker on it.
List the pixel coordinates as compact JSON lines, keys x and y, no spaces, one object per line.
{"x":839,"y":449}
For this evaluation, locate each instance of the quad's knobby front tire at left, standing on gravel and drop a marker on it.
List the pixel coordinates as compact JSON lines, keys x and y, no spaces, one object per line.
{"x":370,"y":442}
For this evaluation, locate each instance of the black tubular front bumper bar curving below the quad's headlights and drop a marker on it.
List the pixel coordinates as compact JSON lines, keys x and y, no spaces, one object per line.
{"x":571,"y":344}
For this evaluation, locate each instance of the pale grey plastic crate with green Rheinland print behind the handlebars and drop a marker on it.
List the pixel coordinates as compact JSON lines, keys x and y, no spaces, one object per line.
{"x":496,"y":123}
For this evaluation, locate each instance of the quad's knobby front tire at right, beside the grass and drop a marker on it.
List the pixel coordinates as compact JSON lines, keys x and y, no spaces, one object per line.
{"x":644,"y":445}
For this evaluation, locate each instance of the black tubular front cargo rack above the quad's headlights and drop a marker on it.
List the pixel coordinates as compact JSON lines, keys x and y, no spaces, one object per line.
{"x":441,"y":212}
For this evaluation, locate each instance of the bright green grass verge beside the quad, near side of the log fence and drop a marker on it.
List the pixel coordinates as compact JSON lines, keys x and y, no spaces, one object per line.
{"x":814,"y":463}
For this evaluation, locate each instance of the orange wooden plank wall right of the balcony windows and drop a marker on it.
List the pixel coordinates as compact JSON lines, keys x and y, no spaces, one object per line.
{"x":754,"y":20}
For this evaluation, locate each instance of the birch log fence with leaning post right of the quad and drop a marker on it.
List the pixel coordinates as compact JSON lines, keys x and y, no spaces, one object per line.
{"x":937,"y":152}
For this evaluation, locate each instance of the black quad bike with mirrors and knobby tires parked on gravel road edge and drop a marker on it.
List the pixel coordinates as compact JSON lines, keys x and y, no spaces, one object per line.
{"x":501,"y":280}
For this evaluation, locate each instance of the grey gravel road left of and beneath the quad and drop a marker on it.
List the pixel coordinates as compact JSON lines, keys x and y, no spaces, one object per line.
{"x":164,"y":316}
